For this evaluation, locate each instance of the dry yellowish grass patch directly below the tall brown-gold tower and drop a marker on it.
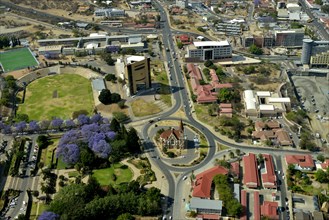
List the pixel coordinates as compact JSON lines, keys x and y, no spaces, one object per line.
{"x":140,"y":108}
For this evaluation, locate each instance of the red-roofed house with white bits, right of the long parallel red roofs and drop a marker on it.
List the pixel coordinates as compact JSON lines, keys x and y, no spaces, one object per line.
{"x":301,"y":162}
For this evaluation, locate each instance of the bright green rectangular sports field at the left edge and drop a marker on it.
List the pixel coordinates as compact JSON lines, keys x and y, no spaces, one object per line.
{"x":17,"y":59}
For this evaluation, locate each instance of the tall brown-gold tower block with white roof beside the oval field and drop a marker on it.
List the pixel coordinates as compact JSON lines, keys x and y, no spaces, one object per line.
{"x":137,"y":73}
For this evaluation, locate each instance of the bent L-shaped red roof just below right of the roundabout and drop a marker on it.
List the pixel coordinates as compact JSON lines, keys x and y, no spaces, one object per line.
{"x":202,"y":183}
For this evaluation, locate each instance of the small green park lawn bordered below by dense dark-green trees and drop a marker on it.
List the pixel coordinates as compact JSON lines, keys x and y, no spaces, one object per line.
{"x":106,"y":176}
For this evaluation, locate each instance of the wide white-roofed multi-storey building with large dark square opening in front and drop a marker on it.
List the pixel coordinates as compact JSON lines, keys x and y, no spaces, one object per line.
{"x":208,"y":50}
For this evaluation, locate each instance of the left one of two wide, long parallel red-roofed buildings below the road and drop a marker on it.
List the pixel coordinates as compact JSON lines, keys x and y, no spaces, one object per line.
{"x":250,"y":171}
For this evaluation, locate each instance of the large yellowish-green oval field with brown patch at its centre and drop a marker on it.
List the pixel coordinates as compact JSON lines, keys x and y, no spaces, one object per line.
{"x":57,"y":96}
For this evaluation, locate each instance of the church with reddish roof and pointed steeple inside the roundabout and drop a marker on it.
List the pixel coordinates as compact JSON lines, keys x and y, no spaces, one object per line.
{"x":174,"y":138}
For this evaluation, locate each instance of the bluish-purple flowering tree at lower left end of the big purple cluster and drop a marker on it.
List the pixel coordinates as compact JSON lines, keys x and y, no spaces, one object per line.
{"x":69,"y":153}
